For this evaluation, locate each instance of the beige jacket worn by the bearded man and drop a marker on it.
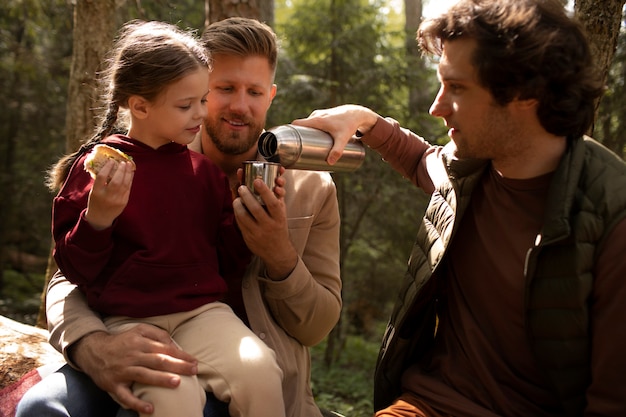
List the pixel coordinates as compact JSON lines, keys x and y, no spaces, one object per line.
{"x":289,"y":315}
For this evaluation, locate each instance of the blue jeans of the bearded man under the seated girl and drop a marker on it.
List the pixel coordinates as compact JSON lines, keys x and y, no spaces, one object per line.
{"x":51,"y":398}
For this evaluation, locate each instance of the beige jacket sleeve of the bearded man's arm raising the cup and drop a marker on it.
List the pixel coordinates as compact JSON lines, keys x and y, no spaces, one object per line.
{"x":307,"y":303}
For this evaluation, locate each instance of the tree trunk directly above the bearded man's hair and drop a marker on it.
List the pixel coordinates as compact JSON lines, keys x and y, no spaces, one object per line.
{"x":262,"y":10}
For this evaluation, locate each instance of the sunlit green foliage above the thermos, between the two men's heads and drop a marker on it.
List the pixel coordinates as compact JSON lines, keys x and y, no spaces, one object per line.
{"x":350,"y":57}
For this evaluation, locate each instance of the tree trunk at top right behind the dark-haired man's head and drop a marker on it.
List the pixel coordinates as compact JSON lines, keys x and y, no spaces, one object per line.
{"x":601,"y":19}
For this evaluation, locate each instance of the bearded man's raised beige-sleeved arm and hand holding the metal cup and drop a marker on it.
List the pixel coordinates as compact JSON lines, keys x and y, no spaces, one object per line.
{"x":302,"y":285}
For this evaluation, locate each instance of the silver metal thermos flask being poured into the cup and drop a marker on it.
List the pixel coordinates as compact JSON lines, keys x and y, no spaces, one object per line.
{"x":299,"y":147}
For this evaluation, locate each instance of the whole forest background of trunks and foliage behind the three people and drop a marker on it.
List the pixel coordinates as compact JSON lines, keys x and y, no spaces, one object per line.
{"x":332,"y":52}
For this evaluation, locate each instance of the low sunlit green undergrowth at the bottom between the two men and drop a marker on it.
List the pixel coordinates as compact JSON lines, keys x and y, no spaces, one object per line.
{"x":347,"y":386}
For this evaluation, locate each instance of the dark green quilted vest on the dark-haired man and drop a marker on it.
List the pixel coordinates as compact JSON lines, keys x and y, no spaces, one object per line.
{"x":586,"y":200}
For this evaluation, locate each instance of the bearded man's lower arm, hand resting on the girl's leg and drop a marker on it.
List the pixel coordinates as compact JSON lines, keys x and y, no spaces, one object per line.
{"x":143,"y":354}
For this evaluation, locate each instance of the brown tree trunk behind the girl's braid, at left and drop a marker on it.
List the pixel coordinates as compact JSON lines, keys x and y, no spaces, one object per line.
{"x":94,"y":30}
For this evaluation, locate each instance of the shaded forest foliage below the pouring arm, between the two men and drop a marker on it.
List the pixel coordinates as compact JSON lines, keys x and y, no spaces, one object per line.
{"x":380,"y":212}
